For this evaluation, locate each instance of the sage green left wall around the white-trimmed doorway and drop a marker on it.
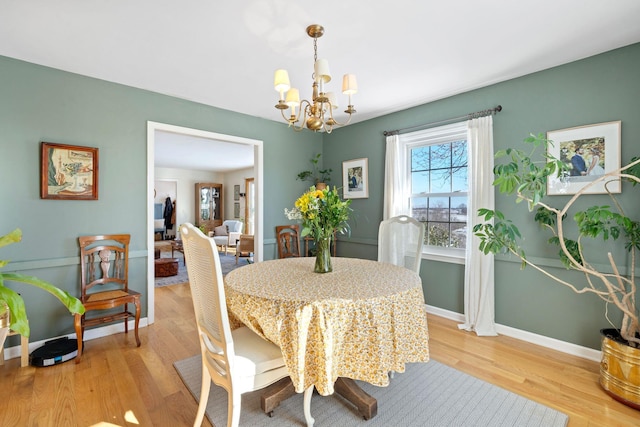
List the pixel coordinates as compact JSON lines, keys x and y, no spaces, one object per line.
{"x":42,"y":104}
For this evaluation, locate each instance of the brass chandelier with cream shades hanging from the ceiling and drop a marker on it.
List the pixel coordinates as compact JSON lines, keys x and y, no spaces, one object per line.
{"x":317,"y":114}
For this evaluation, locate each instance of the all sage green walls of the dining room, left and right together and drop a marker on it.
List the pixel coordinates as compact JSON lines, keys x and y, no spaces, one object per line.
{"x":42,"y":104}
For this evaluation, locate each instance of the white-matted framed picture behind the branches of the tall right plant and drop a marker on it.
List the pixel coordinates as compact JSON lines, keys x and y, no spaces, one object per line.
{"x":589,"y":152}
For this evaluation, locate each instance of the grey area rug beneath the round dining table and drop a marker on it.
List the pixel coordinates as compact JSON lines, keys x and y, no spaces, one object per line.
{"x":426,"y":394}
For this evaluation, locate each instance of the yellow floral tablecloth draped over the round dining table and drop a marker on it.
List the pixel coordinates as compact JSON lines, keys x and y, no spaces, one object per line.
{"x":360,"y":321}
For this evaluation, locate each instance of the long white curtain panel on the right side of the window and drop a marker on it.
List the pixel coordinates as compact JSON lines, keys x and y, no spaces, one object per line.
{"x":479,"y":300}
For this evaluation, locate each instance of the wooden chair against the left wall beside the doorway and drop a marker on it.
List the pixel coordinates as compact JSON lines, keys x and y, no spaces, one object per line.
{"x":104,"y":265}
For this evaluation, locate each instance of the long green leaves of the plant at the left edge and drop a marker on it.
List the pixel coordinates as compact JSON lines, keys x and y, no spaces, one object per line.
{"x":14,"y":301}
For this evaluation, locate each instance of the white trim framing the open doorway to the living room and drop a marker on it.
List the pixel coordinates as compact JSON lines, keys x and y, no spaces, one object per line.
{"x":152,"y":129}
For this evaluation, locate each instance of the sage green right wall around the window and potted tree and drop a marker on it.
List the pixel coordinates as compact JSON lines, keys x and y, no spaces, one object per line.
{"x":594,"y":90}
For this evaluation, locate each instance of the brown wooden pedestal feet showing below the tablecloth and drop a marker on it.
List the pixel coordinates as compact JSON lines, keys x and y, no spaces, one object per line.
{"x":346,"y":387}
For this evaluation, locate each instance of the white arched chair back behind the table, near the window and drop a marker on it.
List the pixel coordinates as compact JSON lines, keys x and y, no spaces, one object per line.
{"x":400,"y":241}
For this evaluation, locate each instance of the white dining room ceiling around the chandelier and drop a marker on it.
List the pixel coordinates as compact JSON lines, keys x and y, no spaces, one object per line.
{"x":224,"y":53}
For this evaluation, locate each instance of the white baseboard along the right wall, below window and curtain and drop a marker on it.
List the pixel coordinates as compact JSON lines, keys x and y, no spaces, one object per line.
{"x":541,"y":340}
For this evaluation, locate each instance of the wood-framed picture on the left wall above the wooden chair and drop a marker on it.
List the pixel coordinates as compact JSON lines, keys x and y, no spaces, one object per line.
{"x":68,"y":172}
